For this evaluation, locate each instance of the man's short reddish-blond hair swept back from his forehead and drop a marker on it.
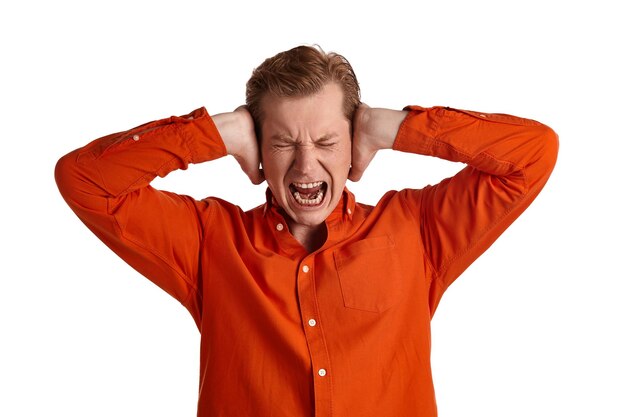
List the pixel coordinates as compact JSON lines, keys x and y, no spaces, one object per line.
{"x":299,"y":72}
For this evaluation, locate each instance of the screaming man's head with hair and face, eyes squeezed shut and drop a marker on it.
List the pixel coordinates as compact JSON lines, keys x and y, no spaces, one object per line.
{"x":302,"y":102}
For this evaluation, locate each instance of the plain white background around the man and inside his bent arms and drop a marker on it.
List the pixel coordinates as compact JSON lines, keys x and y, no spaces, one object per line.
{"x":536,"y":327}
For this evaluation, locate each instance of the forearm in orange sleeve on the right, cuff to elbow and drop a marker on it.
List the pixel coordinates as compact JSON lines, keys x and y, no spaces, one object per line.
{"x":495,"y":144}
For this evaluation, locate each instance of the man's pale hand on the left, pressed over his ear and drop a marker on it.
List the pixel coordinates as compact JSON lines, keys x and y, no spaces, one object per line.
{"x":237,"y":131}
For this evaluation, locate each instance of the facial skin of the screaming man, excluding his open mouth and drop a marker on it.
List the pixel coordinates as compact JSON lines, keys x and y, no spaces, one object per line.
{"x":306,"y":139}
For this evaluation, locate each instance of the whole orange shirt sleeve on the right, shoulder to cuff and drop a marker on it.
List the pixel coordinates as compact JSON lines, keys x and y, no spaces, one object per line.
{"x":509,"y":160}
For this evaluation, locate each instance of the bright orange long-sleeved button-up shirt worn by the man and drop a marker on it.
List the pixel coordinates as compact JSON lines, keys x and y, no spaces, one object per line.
{"x":343,"y":331}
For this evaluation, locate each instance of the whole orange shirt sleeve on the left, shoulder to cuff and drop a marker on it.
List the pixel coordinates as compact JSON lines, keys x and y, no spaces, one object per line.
{"x":107,"y":184}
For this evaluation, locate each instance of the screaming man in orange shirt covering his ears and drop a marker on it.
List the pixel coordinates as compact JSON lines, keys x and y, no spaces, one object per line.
{"x":310,"y":304}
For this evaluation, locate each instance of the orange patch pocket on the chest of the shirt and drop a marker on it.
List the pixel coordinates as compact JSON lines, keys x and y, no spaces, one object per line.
{"x":369,"y":274}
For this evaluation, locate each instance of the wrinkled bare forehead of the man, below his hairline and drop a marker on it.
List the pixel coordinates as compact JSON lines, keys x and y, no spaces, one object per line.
{"x":313,"y":113}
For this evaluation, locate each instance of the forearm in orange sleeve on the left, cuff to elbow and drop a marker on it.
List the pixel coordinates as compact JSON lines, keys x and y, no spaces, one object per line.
{"x":122,"y":162}
